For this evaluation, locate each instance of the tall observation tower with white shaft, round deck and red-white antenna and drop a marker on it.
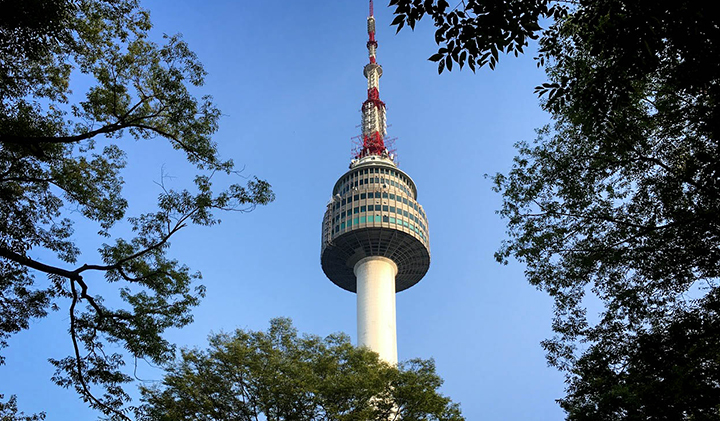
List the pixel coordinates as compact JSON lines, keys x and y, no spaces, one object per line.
{"x":374,"y":233}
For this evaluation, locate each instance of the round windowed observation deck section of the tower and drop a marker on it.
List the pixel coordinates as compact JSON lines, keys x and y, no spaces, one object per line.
{"x":374,"y":212}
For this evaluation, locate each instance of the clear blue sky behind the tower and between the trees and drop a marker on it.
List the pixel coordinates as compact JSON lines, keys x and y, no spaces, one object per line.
{"x":288,"y":78}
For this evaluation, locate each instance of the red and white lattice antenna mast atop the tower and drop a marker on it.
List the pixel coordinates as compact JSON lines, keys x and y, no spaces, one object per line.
{"x":374,"y":123}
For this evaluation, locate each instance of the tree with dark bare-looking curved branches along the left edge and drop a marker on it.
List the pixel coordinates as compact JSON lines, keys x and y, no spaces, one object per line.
{"x":60,"y":161}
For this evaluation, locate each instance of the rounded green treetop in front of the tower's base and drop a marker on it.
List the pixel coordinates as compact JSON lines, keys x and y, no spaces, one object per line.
{"x":278,"y":375}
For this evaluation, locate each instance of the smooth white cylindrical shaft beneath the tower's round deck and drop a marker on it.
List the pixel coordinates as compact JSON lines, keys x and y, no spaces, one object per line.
{"x":376,"y":306}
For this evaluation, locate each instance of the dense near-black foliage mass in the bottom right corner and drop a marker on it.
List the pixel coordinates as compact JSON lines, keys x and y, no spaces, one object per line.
{"x":668,"y":373}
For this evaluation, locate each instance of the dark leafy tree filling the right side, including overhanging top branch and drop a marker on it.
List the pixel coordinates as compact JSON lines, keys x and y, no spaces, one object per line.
{"x":619,"y":198}
